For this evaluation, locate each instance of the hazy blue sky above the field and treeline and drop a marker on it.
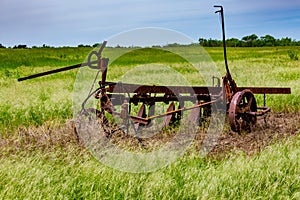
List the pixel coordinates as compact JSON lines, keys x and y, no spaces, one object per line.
{"x":74,"y":22}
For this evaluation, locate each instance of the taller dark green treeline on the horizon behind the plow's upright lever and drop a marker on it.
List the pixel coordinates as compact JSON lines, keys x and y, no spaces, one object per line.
{"x":250,"y":41}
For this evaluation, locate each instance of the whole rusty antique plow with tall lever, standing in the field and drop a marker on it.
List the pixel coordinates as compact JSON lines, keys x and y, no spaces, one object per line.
{"x":240,"y":103}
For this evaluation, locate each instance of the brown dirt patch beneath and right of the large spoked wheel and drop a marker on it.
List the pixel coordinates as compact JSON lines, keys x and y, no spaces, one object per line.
{"x":274,"y":128}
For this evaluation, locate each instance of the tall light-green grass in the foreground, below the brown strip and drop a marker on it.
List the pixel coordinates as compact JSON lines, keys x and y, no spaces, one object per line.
{"x":272,"y":174}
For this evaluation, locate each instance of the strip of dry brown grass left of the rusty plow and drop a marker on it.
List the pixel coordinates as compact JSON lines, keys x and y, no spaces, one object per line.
{"x":49,"y":136}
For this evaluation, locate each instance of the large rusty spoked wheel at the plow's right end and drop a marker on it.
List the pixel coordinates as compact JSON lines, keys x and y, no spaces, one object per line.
{"x":242,"y":111}
